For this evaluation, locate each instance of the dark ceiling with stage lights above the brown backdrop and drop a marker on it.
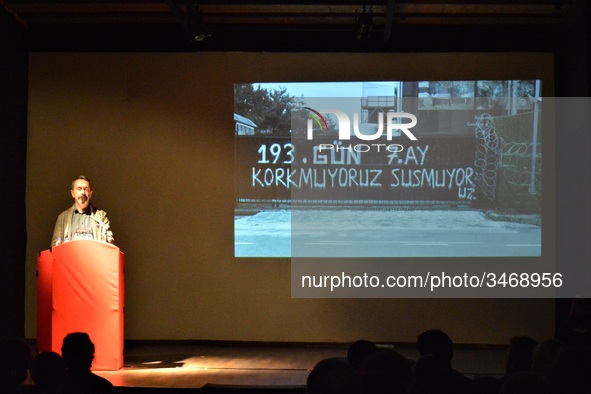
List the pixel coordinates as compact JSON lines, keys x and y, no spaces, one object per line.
{"x":296,"y":25}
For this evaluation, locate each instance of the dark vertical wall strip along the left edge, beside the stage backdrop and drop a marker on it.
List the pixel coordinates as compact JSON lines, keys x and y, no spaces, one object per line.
{"x":13,"y":149}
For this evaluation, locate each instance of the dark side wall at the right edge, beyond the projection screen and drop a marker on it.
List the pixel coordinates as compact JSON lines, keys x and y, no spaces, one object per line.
{"x":573,"y":71}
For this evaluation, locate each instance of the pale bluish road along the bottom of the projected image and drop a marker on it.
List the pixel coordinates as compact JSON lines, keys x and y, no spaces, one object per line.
{"x":385,"y":233}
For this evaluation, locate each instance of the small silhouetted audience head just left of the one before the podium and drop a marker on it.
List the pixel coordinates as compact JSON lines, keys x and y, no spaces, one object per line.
{"x":48,"y":373}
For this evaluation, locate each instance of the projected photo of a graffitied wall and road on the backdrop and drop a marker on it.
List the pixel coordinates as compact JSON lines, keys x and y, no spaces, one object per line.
{"x":388,"y":169}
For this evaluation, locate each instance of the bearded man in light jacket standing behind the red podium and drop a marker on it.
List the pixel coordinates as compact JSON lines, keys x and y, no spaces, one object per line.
{"x":82,"y":220}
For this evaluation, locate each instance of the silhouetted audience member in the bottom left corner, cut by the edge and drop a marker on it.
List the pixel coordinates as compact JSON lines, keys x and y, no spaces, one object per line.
{"x":15,"y":360}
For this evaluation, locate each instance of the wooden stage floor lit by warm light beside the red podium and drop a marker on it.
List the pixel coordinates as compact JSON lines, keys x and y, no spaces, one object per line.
{"x":198,"y":366}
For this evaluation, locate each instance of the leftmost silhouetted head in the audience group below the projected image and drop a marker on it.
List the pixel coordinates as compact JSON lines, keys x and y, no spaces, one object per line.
{"x":333,"y":376}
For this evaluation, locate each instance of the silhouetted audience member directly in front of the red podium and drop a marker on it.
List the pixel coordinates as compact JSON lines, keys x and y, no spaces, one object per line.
{"x":78,"y":354}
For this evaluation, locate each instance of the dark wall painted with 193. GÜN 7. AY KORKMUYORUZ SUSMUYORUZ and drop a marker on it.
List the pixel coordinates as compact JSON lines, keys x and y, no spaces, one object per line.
{"x":424,"y":171}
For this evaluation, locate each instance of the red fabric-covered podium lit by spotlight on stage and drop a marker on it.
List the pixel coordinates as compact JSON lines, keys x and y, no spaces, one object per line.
{"x":80,"y":288}
